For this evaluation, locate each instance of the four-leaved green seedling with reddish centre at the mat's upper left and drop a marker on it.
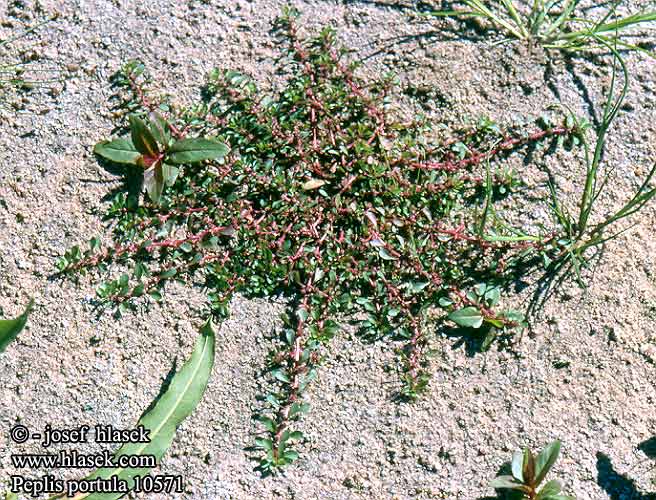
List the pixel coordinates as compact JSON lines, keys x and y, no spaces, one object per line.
{"x":152,"y":147}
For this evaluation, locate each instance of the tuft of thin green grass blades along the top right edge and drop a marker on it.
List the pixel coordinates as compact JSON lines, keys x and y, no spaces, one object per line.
{"x":556,"y":24}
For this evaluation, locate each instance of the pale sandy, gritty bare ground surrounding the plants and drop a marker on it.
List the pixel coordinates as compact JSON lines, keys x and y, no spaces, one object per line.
{"x":584,"y":374}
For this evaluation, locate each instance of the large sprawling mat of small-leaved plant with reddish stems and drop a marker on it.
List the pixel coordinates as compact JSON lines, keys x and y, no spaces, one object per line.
{"x":318,"y":193}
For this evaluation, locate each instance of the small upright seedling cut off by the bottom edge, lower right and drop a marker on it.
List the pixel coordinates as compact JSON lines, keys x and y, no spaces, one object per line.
{"x":528,"y":473}
